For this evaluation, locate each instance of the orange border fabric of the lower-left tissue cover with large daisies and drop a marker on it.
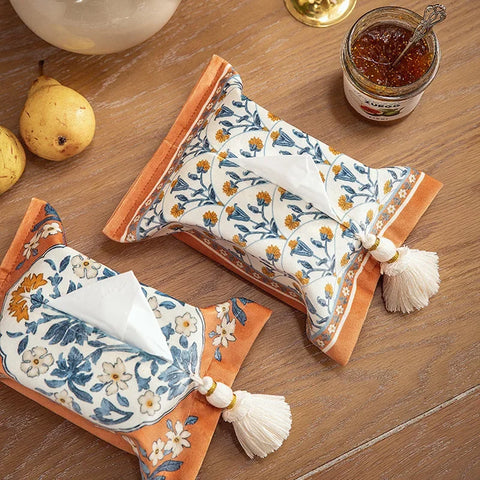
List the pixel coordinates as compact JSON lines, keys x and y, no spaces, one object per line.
{"x":194,"y":404}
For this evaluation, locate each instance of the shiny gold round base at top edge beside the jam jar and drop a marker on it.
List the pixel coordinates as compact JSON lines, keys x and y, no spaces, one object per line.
{"x":320,"y":13}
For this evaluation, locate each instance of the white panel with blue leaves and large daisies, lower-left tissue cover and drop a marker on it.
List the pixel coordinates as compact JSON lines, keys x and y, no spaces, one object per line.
{"x":109,"y":382}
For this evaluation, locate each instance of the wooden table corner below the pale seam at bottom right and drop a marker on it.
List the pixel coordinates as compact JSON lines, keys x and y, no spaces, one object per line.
{"x":448,"y":431}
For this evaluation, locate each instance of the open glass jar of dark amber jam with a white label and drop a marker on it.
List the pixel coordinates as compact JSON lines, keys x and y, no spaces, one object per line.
{"x":372,"y":86}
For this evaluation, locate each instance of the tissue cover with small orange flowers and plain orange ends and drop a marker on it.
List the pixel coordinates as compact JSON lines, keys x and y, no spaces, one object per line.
{"x":193,"y":187}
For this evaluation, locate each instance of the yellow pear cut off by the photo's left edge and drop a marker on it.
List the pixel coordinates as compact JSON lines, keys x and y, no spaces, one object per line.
{"x":12,"y":159}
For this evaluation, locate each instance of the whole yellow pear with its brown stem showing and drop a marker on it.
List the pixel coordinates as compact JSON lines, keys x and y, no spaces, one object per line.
{"x":56,"y":122}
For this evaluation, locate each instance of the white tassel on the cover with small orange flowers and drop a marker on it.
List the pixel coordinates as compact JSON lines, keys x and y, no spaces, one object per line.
{"x":411,"y":276}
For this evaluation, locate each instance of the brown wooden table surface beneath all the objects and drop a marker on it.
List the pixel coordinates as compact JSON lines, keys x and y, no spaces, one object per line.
{"x":407,"y":405}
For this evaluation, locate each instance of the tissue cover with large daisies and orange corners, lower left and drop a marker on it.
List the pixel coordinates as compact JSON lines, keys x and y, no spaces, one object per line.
{"x":130,"y":398}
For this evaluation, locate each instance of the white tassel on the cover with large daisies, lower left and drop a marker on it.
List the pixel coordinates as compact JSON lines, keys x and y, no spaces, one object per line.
{"x":261,"y":422}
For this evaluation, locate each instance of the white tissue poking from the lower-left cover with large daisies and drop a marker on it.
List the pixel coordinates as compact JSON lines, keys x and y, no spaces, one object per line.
{"x":117,"y":306}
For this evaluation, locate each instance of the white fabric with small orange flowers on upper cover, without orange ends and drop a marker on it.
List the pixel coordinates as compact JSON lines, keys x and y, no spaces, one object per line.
{"x":260,"y":228}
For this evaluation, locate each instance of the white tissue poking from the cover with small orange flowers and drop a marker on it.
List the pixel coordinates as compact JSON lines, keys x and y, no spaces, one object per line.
{"x":297,"y":174}
